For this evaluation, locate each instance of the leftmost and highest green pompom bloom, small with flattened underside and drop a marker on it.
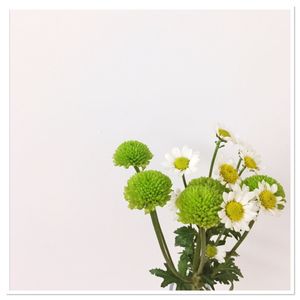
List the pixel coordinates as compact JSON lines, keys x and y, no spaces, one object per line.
{"x":132,"y":153}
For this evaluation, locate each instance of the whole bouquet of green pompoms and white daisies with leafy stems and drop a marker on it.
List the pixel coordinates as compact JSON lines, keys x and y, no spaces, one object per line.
{"x":213,"y":209}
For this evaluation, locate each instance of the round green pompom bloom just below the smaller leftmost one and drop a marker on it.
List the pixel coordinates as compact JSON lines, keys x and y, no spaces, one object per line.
{"x":148,"y":189}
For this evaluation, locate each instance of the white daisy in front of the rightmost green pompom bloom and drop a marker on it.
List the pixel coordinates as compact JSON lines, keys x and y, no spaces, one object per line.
{"x":267,"y":199}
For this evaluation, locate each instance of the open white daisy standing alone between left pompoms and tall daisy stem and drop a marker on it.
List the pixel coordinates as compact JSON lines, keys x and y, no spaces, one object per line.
{"x":182,"y":161}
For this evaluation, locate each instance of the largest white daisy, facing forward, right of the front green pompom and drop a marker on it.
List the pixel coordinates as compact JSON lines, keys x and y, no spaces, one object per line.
{"x":238,"y":208}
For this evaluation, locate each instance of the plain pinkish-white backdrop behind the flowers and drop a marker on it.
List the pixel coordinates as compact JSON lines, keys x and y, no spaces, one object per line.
{"x":84,"y":81}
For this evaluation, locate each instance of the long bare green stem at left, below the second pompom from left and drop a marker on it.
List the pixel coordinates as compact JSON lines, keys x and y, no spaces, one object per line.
{"x":163,"y":245}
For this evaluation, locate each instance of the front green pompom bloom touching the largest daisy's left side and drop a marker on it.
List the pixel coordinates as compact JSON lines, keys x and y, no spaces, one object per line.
{"x":199,"y":204}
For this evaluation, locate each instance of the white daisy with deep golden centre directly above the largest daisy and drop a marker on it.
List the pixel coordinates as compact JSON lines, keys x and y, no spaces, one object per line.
{"x":226,"y":171}
